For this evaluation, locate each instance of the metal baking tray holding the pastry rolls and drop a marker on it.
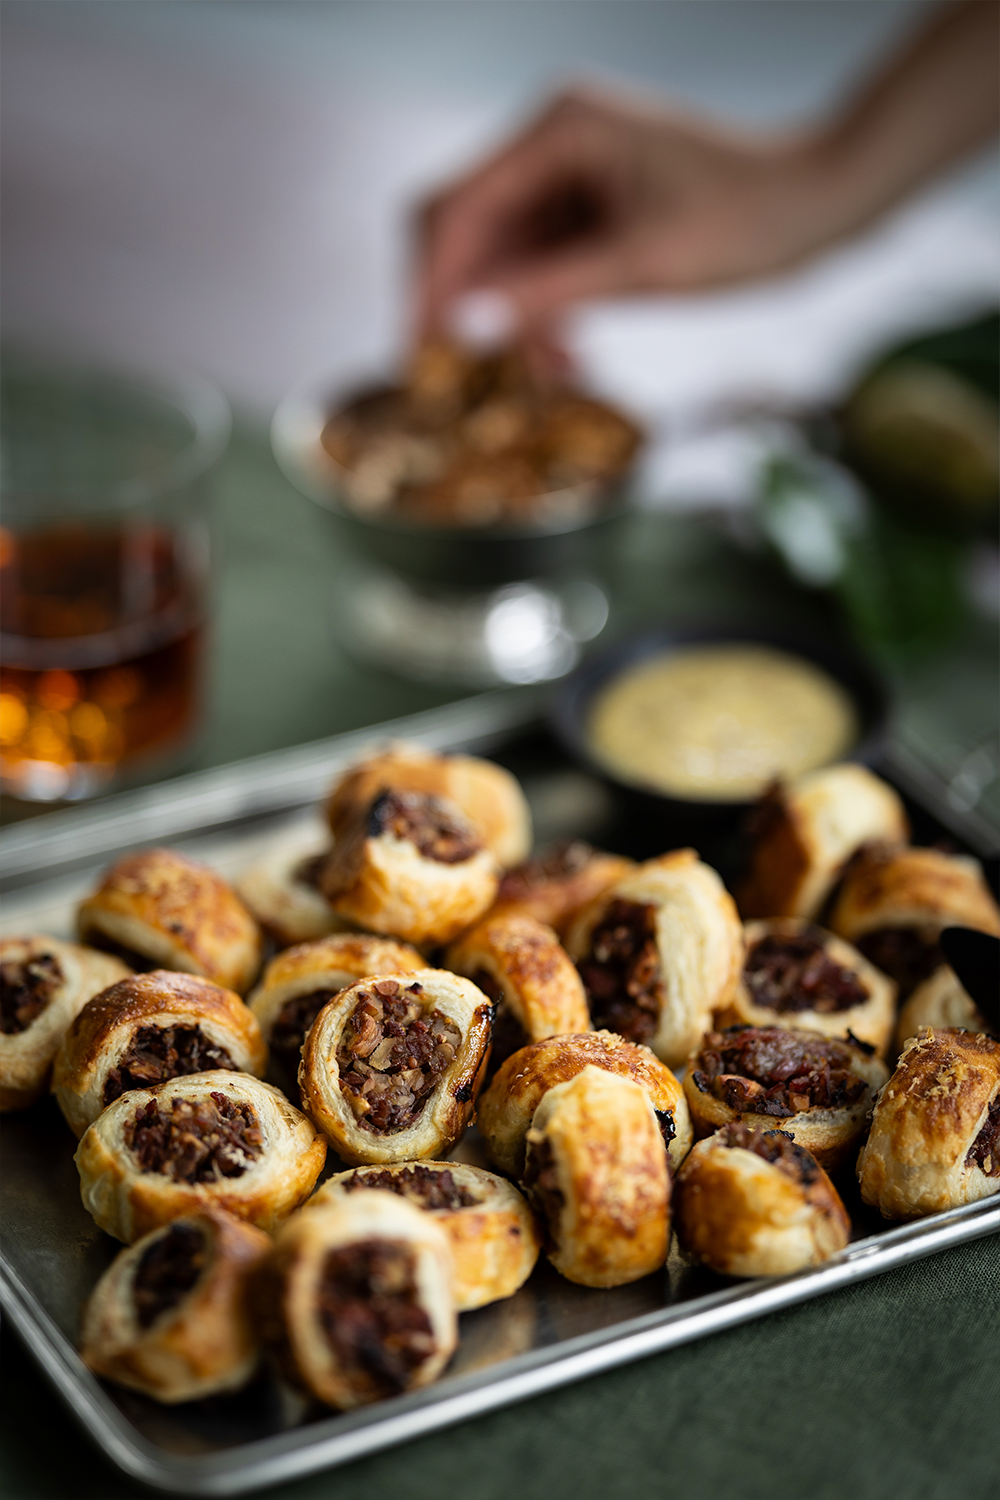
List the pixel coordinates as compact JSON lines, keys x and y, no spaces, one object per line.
{"x":549,"y":1334}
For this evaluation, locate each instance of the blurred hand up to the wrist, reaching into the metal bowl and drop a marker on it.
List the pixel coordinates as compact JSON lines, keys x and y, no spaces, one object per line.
{"x":605,"y":196}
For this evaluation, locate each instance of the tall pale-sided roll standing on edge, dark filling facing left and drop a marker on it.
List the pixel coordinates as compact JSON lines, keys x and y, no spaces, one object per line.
{"x":660,"y":953}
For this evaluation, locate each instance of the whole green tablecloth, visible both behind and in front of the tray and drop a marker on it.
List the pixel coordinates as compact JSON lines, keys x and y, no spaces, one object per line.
{"x":887,"y":1388}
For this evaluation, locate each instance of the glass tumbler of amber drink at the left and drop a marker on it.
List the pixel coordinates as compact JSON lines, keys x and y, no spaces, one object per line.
{"x":104,"y":574}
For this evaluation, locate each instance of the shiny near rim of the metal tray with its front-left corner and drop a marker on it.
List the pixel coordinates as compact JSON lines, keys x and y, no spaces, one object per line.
{"x":349,"y":1436}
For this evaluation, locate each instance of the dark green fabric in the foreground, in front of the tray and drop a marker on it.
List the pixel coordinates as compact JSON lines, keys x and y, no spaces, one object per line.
{"x":888,"y":1388}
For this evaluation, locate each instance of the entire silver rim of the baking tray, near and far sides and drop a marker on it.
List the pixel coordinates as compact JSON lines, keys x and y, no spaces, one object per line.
{"x":253,"y":791}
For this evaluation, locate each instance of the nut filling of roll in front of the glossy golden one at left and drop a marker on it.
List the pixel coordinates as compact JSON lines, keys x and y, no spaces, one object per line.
{"x":197,"y":1141}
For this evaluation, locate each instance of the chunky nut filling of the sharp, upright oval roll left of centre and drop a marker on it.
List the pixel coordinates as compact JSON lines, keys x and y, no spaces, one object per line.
{"x":392,"y":1055}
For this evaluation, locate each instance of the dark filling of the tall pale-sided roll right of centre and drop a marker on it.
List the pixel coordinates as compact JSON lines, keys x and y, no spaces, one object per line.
{"x":621,"y":974}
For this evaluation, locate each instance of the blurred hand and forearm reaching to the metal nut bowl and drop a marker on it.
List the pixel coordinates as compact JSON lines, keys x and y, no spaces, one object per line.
{"x":605,"y":196}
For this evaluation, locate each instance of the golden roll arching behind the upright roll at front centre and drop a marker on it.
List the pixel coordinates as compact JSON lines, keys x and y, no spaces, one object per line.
{"x":507,"y":1106}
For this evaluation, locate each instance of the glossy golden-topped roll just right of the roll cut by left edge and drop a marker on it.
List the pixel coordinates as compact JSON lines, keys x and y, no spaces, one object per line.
{"x":146,"y":1030}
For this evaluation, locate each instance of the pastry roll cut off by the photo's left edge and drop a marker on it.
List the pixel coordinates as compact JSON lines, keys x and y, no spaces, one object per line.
{"x":44,"y":985}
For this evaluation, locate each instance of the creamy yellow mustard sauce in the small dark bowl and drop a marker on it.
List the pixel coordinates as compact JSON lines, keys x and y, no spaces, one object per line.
{"x":720,"y":722}
